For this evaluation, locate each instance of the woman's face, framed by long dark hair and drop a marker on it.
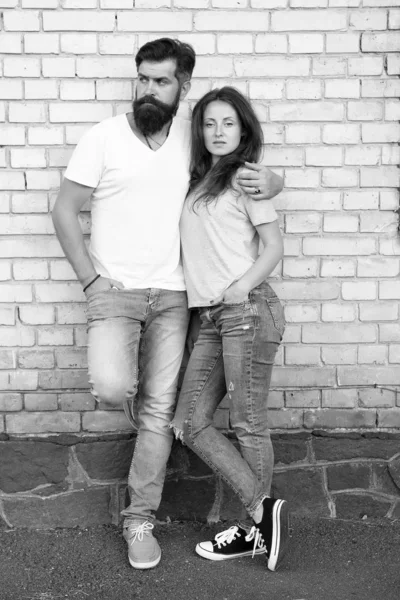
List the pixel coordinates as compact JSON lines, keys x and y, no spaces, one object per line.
{"x":221,"y":129}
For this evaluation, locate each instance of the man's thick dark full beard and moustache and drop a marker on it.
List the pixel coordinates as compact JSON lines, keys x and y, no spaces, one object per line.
{"x":151,"y":114}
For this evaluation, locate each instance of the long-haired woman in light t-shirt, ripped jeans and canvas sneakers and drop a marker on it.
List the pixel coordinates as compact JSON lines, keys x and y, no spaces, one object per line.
{"x":241,"y":322}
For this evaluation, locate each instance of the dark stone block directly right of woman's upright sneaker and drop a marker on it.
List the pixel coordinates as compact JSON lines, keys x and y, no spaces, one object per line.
{"x":303,"y":489}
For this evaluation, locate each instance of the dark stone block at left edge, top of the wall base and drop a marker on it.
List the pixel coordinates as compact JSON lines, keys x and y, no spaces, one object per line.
{"x":26,"y":465}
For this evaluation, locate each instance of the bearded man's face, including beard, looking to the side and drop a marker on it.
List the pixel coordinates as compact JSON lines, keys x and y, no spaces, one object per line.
{"x":158,"y":93}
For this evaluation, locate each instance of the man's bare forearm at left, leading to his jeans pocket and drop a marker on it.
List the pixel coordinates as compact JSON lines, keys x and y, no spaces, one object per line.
{"x":71,"y":238}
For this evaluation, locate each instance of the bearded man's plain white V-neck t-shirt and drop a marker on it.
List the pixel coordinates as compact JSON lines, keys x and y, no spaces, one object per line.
{"x":137,"y":202}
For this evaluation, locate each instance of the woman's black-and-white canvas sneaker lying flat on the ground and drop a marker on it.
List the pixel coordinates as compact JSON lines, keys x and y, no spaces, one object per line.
{"x":235,"y":542}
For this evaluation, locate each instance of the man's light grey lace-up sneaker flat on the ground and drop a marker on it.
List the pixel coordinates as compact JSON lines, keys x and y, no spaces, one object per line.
{"x":143,"y":549}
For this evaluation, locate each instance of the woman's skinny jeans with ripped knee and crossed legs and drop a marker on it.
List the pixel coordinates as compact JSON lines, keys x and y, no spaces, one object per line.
{"x":234,"y":354}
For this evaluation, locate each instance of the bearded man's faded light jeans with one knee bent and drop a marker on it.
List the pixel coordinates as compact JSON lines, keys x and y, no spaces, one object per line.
{"x":136,"y":344}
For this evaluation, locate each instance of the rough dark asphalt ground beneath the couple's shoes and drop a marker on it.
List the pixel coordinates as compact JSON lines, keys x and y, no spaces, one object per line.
{"x":328,"y":560}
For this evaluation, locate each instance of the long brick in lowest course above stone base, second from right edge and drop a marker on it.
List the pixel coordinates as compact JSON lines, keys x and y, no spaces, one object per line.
{"x":339,"y":418}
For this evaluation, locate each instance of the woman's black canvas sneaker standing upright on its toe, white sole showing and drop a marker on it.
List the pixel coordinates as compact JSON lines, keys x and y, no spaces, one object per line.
{"x":274,"y":530}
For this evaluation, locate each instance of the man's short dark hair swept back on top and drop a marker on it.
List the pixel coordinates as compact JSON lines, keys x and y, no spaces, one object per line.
{"x":165,"y":49}
